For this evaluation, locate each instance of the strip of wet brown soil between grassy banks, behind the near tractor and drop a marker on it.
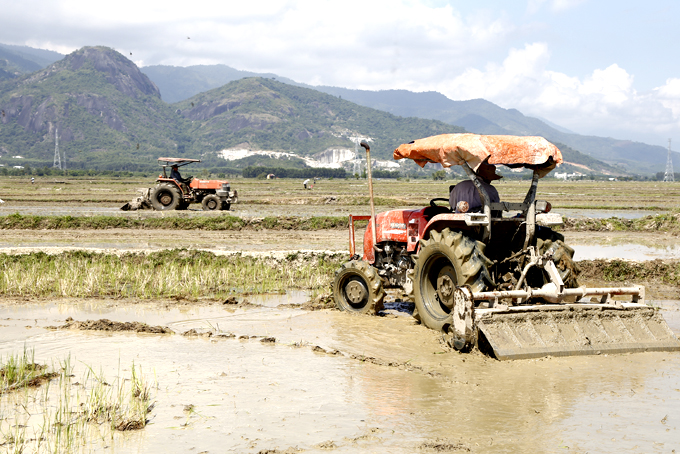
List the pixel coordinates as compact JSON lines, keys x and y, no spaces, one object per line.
{"x":588,"y":245}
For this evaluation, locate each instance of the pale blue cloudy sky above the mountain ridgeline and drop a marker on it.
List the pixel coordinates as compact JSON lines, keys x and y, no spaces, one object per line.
{"x":597,"y":67}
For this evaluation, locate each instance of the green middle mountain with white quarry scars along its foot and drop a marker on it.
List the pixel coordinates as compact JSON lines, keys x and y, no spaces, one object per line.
{"x":265,"y":114}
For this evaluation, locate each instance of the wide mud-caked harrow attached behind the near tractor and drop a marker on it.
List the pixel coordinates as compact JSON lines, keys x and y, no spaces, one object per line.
{"x":559,"y":329}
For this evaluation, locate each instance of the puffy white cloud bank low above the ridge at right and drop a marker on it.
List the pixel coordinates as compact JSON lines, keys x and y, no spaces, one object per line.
{"x":603,"y":103}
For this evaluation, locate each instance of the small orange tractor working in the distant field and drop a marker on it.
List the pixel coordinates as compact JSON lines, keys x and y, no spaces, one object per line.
{"x":170,"y":194}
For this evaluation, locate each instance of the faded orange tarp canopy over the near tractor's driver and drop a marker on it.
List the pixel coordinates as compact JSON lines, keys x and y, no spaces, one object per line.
{"x":454,"y":149}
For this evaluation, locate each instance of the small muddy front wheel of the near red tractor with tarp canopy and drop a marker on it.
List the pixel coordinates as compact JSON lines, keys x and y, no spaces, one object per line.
{"x":358,"y":288}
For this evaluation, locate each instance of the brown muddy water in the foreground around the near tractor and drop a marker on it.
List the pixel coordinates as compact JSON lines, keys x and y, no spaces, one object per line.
{"x":378,"y":384}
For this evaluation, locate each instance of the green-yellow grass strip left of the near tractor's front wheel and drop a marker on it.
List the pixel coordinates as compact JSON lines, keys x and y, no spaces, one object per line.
{"x":164,"y":274}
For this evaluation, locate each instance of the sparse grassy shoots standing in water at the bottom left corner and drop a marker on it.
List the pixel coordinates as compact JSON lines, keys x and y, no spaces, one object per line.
{"x":71,"y":415}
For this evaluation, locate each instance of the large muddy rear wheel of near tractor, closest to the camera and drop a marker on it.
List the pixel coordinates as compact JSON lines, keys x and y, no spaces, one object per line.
{"x":446,"y":260}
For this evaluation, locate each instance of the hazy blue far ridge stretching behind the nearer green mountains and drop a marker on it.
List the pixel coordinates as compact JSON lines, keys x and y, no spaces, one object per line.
{"x":477,"y":115}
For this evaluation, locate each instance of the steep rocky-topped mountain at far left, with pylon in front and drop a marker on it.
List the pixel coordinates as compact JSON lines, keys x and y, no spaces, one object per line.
{"x":107,"y":112}
